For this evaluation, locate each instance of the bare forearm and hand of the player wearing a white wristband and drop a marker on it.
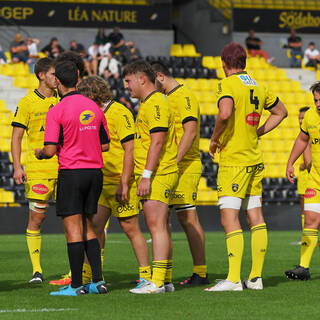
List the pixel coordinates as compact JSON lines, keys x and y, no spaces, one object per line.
{"x":157,"y":140}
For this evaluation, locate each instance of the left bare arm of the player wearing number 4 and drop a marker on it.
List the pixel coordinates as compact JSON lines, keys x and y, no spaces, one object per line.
{"x":225,"y":111}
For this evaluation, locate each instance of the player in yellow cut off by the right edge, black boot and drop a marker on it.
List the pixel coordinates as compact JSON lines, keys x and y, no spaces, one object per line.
{"x":309,"y":134}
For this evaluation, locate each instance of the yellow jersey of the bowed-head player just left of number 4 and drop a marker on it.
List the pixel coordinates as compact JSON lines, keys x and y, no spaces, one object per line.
{"x":186,"y":108}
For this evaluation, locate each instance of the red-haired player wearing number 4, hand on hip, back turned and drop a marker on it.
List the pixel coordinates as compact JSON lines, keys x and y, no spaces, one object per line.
{"x":241,"y":101}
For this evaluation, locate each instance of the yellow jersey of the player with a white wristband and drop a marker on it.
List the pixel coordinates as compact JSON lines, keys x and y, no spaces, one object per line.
{"x":155,"y":115}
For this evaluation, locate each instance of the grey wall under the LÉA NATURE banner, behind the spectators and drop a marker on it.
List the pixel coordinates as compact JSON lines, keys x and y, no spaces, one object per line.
{"x":150,"y":42}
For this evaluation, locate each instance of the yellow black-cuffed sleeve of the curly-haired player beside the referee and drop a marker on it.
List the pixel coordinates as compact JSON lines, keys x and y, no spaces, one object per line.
{"x":125,"y":126}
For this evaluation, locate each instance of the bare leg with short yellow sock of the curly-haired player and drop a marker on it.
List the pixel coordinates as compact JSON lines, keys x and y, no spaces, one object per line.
{"x":131,"y":227}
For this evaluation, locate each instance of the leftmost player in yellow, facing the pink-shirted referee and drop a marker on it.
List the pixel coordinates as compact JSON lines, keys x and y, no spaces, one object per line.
{"x":39,"y":177}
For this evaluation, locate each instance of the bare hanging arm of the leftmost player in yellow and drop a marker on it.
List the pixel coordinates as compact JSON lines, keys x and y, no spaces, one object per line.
{"x":16,"y":140}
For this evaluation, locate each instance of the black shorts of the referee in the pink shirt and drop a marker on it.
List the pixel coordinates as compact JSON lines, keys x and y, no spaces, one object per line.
{"x":78,"y":191}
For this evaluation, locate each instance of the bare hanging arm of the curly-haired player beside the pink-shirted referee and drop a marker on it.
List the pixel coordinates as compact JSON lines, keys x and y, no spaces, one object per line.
{"x":128,"y":164}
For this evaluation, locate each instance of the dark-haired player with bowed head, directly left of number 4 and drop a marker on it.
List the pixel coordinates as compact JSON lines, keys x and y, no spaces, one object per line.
{"x":183,"y":199}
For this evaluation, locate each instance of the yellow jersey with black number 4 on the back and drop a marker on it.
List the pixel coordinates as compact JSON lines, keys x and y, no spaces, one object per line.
{"x":239,"y":141}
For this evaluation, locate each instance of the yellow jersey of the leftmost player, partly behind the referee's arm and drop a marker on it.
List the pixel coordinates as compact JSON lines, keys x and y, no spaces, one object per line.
{"x":31,"y":115}
